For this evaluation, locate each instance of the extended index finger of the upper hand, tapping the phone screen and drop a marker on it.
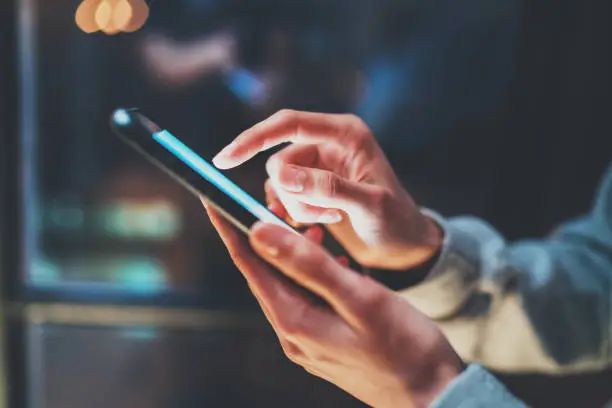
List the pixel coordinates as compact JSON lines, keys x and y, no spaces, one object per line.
{"x":282,"y":127}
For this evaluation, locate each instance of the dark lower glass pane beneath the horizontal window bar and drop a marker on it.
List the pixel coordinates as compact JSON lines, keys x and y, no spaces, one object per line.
{"x":74,"y":367}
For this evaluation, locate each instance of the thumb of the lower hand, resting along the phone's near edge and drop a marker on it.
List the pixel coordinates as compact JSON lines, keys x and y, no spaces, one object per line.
{"x":347,"y":292}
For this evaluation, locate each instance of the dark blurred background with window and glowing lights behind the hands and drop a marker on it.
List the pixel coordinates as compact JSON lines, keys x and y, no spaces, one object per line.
{"x":116,"y":290}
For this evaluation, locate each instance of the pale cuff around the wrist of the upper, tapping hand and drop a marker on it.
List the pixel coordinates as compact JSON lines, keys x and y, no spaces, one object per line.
{"x":452,"y":278}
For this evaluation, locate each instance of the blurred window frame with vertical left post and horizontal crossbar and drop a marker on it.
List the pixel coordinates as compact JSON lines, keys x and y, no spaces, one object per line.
{"x":25,"y":308}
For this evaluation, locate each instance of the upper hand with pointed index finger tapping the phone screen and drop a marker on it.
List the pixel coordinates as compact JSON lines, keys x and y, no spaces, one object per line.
{"x":335,"y":173}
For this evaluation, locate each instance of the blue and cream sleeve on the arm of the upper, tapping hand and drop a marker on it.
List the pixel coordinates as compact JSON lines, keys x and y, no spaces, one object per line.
{"x":539,"y":305}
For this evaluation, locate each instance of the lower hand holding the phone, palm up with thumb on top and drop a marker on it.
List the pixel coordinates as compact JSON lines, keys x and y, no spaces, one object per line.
{"x":369,"y":341}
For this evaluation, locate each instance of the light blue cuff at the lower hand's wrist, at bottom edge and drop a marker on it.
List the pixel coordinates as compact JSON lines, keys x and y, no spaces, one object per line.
{"x":476,"y":388}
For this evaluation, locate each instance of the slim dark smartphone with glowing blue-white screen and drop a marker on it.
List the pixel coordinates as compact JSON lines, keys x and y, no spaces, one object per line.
{"x":199,"y":176}
